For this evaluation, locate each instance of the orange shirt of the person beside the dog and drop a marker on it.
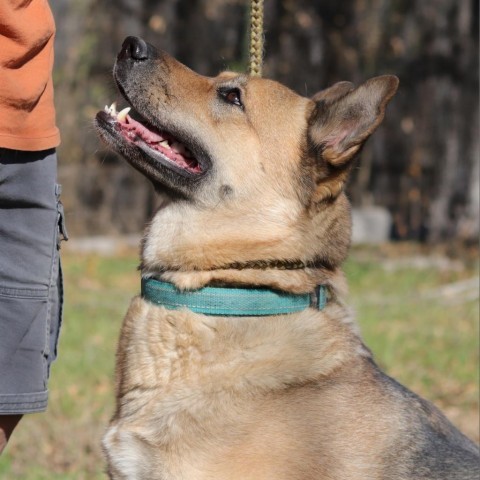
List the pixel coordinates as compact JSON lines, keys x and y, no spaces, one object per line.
{"x":27,"y":112}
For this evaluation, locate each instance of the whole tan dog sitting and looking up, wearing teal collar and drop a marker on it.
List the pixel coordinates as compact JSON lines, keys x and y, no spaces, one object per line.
{"x":252,"y":178}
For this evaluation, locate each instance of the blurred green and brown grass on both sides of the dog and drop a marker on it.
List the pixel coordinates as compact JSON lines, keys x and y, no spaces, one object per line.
{"x":421,"y":336}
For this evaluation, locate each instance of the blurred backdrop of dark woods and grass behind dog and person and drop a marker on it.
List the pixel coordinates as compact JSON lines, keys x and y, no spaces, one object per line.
{"x":414,"y":271}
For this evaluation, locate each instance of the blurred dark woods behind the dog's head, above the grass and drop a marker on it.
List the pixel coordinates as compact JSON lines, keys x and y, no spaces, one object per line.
{"x":422,"y":166}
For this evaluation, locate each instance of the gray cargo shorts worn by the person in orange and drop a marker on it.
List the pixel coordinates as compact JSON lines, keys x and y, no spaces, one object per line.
{"x":31,"y":291}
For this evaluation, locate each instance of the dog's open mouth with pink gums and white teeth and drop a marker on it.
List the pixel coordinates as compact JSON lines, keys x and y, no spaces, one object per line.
{"x":162,"y":146}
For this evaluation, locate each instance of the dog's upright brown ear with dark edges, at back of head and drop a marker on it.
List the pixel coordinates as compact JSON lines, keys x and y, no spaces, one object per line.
{"x":344,"y":117}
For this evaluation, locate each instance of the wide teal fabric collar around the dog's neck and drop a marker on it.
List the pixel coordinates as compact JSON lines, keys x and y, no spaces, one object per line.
{"x":234,"y":302}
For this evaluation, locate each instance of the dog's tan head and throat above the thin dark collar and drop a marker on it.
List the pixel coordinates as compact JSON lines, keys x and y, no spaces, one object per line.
{"x":251,"y":170}
